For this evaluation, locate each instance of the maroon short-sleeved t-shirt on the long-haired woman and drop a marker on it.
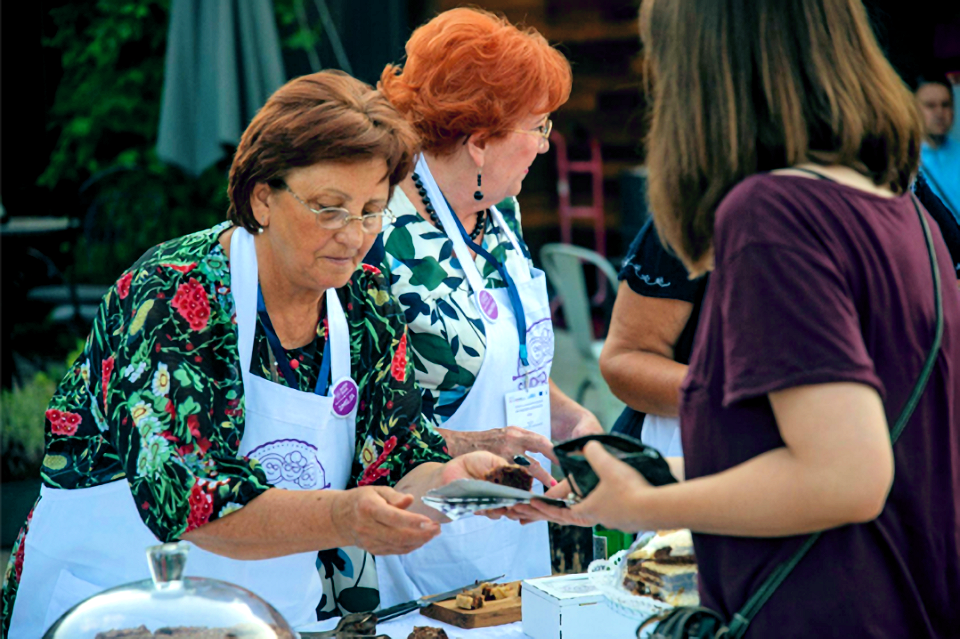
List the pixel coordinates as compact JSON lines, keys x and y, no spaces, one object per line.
{"x":817,"y":282}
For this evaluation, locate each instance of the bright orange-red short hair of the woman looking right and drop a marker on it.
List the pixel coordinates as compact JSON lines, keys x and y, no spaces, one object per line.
{"x":471,"y":71}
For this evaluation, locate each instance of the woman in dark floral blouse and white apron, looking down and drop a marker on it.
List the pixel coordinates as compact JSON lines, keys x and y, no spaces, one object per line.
{"x":246,"y":388}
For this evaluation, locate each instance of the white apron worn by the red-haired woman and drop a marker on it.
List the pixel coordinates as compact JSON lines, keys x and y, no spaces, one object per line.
{"x":477,"y":547}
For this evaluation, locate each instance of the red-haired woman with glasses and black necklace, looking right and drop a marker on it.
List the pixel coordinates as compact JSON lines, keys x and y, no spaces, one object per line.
{"x":479,"y":92}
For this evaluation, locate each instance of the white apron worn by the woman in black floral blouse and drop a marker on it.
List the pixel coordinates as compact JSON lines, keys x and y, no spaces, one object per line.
{"x":84,"y":541}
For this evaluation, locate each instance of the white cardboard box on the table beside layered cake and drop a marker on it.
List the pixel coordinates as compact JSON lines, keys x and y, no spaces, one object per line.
{"x":569,"y":607}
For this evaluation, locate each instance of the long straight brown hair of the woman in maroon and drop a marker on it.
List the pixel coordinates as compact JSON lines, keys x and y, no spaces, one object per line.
{"x":756,"y":85}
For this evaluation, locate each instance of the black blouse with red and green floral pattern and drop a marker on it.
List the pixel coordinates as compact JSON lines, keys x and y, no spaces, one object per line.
{"x":156,"y":397}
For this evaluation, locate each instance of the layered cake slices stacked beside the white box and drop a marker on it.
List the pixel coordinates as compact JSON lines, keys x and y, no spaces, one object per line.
{"x":664,"y":568}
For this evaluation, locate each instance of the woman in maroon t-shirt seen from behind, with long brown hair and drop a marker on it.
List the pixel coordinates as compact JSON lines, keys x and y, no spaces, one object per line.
{"x":781,"y":149}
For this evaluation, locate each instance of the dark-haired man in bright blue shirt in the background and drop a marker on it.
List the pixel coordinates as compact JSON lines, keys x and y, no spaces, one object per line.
{"x":940,"y":155}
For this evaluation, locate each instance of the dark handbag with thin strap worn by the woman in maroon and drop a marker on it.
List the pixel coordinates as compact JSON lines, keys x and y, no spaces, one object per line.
{"x":695,"y":622}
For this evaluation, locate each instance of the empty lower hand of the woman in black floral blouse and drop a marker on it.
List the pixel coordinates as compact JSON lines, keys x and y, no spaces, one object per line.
{"x":375,"y":518}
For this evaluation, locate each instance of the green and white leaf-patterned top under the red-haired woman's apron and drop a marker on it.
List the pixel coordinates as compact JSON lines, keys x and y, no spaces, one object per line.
{"x":447,"y":338}
